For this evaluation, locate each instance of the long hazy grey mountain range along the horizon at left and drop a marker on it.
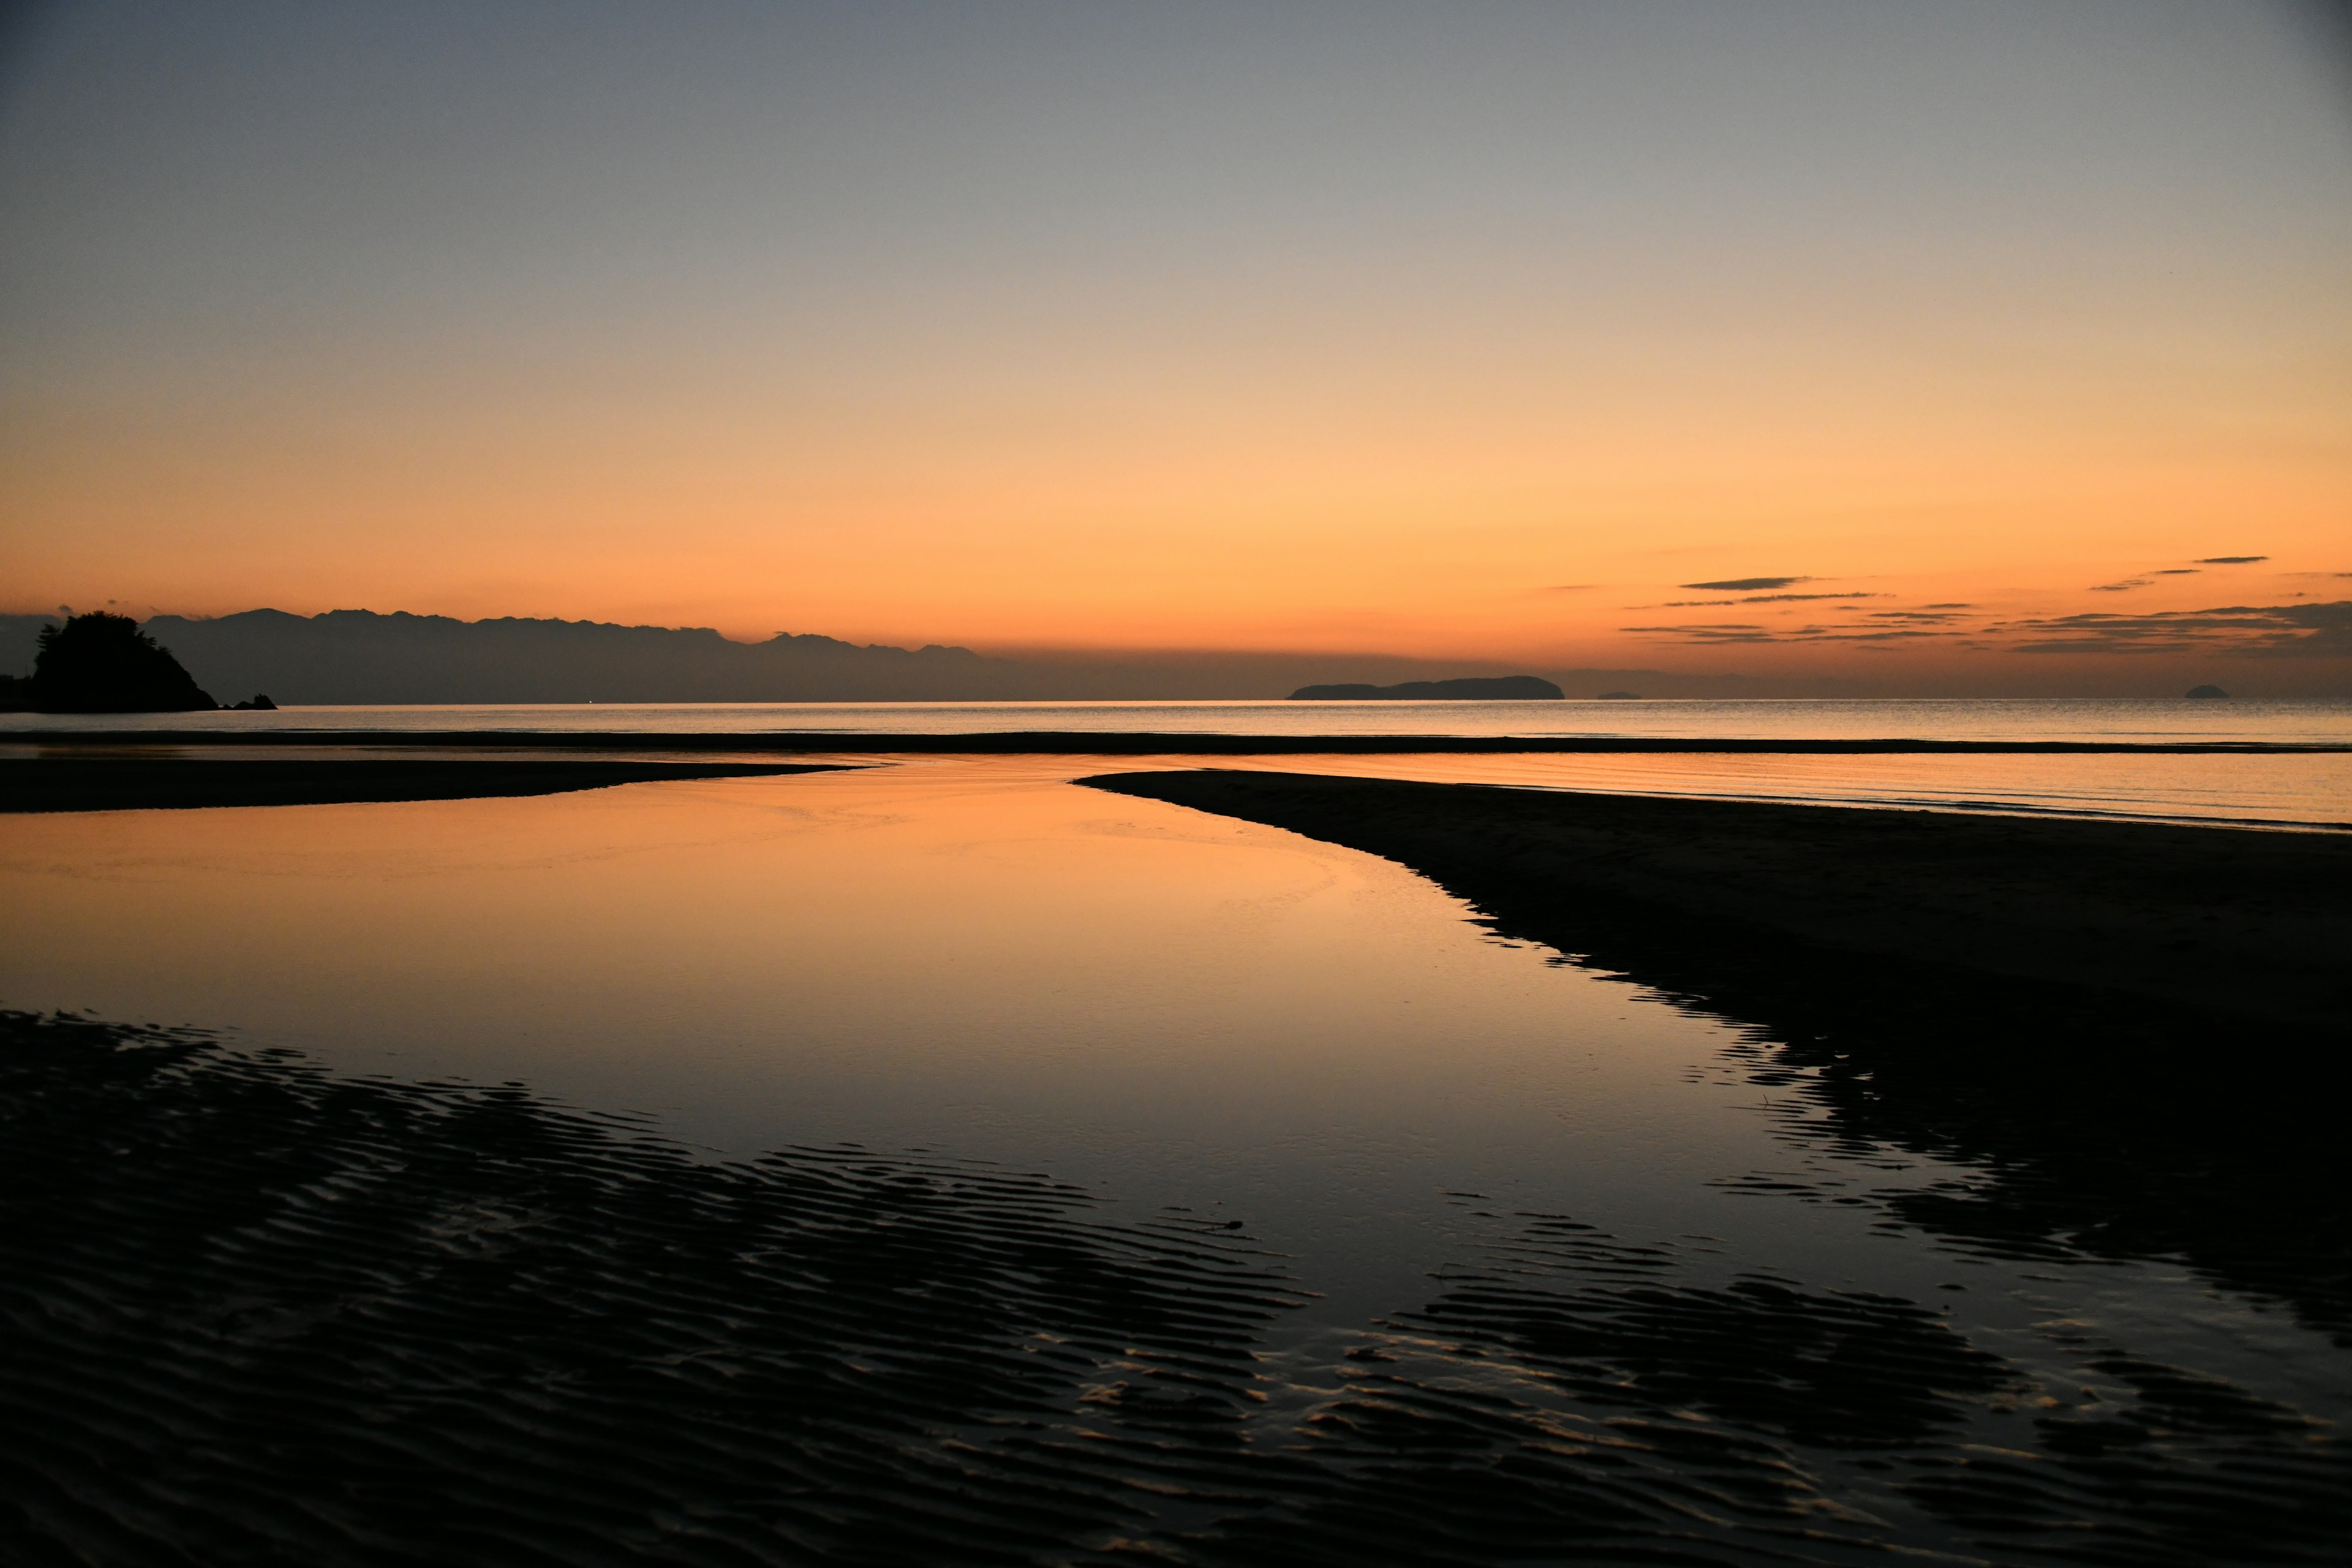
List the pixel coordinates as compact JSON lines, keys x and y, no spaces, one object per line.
{"x":389,"y":659}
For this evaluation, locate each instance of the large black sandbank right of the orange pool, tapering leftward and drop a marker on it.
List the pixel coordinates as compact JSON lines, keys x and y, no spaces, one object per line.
{"x":2134,"y":1036}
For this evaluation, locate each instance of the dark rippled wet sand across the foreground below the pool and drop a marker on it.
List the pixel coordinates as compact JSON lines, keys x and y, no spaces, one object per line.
{"x":267,"y":1313}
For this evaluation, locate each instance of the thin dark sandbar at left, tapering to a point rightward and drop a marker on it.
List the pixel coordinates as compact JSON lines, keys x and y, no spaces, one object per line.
{"x":140,"y":784}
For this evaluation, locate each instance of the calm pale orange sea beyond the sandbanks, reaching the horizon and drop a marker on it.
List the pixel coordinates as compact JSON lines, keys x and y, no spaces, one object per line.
{"x":2287,"y":791}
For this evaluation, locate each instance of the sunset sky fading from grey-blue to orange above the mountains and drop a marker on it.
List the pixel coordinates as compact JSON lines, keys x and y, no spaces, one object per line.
{"x":1970,"y":344}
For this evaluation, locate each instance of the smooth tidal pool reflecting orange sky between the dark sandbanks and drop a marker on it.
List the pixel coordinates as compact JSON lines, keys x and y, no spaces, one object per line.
{"x":982,"y":963}
